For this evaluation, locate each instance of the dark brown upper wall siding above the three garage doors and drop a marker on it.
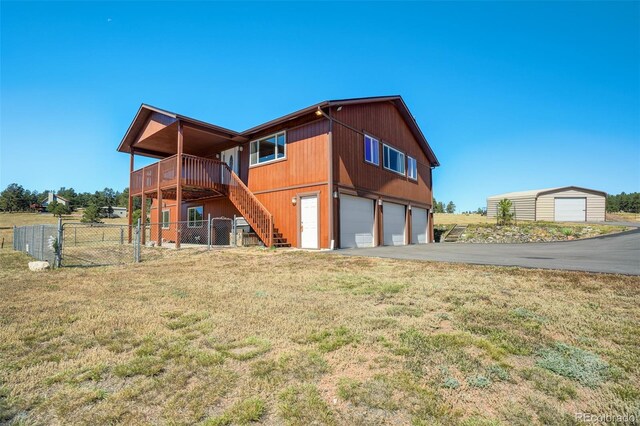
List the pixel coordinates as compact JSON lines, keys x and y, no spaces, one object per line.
{"x":384,"y":122}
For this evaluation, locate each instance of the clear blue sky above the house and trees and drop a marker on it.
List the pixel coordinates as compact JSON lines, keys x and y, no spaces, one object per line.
{"x":511,"y":95}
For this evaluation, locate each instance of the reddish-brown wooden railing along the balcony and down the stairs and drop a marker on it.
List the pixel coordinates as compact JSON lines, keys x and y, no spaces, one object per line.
{"x":207,"y":173}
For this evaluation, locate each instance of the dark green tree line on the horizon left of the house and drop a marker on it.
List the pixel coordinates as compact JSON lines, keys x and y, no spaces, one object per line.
{"x":14,"y":198}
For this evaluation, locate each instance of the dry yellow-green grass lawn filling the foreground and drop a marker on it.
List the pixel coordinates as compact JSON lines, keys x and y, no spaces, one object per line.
{"x":291,"y":337}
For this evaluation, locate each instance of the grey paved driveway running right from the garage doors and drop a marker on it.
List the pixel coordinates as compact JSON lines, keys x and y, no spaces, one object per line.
{"x":616,"y":254}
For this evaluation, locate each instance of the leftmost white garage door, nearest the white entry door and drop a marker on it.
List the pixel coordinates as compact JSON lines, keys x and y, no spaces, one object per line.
{"x":356,"y":222}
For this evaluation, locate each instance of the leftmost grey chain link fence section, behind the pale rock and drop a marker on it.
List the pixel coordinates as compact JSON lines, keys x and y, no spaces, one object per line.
{"x":38,"y":241}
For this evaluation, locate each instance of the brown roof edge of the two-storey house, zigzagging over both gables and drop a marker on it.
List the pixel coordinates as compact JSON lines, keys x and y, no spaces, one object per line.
{"x":145,"y":111}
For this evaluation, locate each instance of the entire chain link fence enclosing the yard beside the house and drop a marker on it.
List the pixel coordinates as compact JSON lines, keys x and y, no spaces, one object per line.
{"x":96,"y":244}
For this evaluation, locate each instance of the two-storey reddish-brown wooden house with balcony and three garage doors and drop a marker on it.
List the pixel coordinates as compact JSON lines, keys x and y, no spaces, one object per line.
{"x":341,"y":173}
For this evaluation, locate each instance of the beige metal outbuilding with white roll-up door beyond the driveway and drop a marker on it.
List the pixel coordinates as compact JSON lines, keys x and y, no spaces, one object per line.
{"x":563,"y":204}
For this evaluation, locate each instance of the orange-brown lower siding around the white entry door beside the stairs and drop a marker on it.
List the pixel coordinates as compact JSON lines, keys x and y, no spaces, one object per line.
{"x":285,"y":213}
